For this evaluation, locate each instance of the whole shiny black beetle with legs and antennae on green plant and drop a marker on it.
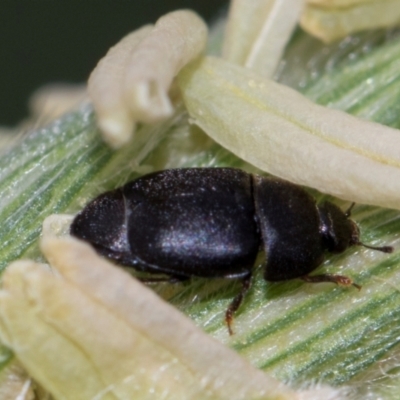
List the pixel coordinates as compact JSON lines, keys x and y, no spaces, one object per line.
{"x":212,"y":222}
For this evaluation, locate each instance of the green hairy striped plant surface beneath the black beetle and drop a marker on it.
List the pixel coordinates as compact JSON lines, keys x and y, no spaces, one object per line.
{"x":298,"y":332}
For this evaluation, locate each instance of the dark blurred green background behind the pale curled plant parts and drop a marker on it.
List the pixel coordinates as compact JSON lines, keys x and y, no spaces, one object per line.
{"x":44,"y":41}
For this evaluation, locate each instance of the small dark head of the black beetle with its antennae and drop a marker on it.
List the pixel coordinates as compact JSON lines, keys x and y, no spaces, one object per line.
{"x":339,"y":232}
